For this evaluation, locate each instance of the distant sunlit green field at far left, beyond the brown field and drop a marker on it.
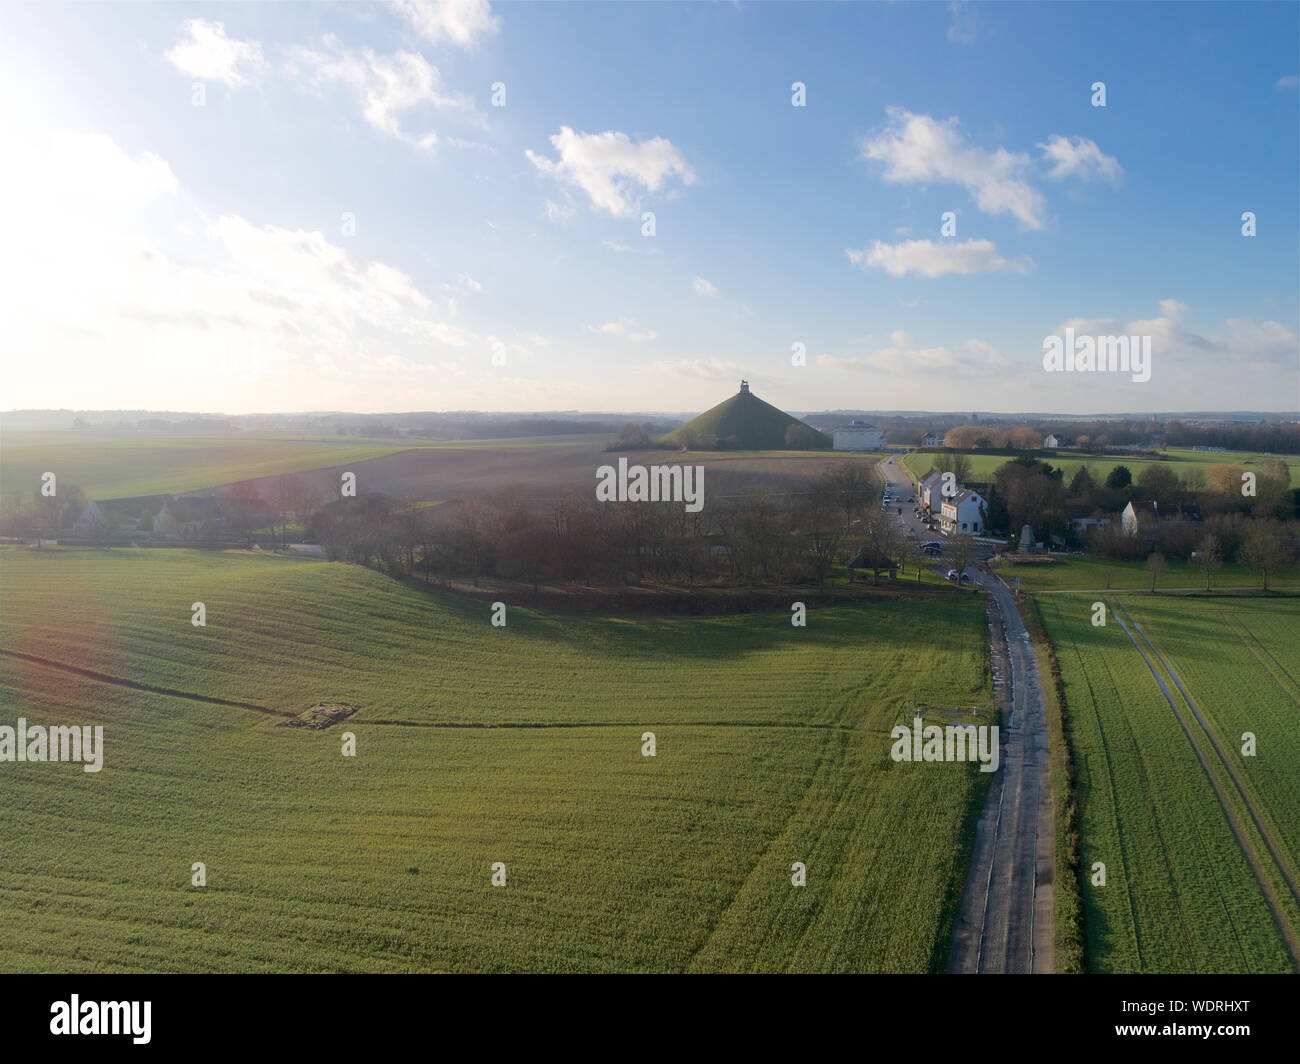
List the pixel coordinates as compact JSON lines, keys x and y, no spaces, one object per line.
{"x":123,"y":466}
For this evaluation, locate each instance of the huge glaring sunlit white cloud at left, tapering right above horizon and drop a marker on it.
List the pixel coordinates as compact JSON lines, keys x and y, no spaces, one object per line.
{"x":157,"y":305}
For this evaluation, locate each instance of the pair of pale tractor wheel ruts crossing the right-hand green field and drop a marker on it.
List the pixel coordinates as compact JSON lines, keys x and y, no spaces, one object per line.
{"x":1249,"y":849}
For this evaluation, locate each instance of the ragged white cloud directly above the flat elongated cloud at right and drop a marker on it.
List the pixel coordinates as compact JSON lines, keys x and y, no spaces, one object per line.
{"x":917,"y":149}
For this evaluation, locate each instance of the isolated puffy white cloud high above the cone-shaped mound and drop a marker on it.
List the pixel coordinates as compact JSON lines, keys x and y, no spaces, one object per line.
{"x":610,"y":168}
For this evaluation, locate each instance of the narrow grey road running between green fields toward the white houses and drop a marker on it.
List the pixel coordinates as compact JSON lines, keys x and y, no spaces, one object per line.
{"x":1006,"y":920}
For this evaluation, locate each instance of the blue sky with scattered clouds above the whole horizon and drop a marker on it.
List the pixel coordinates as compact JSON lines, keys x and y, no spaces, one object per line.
{"x":181,"y":176}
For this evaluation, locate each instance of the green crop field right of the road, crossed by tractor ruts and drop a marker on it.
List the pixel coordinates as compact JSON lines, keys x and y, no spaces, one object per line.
{"x":1181,"y":893}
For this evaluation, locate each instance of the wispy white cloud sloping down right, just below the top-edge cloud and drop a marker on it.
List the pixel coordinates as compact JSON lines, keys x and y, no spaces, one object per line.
{"x":385,"y":85}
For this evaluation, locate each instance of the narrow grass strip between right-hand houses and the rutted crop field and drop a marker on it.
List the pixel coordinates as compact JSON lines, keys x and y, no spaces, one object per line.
{"x":1082,"y":573}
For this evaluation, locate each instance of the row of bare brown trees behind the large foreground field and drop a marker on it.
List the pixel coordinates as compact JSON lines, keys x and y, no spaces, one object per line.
{"x":779,"y":539}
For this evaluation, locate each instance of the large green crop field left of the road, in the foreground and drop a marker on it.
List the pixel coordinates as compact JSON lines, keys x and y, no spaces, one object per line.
{"x":474,"y":746}
